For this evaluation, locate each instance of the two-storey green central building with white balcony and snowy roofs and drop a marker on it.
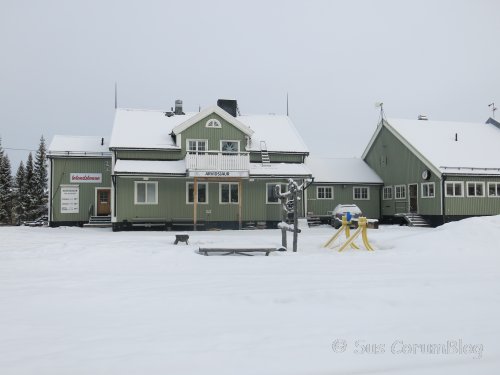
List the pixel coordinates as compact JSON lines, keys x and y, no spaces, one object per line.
{"x":209,"y":169}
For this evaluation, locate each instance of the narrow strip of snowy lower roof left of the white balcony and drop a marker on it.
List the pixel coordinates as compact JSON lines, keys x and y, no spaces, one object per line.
{"x":159,"y":167}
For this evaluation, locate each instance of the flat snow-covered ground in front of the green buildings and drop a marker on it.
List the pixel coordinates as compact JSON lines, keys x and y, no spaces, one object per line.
{"x":89,"y":301}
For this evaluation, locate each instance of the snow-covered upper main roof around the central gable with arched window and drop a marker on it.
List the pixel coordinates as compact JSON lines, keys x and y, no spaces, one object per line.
{"x":151,"y":129}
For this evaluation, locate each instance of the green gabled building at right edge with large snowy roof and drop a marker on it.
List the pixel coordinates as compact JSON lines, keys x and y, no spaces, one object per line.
{"x":441,"y":171}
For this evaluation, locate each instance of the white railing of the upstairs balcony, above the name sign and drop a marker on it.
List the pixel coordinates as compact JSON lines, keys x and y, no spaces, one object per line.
{"x":218,"y":161}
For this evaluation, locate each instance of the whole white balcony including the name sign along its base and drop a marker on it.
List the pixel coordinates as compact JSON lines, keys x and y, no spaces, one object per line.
{"x":218,"y":164}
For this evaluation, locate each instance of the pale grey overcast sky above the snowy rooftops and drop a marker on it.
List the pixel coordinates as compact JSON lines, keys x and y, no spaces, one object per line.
{"x":335,"y":59}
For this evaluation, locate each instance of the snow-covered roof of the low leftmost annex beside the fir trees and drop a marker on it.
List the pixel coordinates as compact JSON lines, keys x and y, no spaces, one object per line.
{"x":74,"y":145}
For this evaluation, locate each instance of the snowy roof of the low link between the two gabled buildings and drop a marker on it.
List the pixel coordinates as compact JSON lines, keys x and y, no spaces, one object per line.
{"x":341,"y":170}
